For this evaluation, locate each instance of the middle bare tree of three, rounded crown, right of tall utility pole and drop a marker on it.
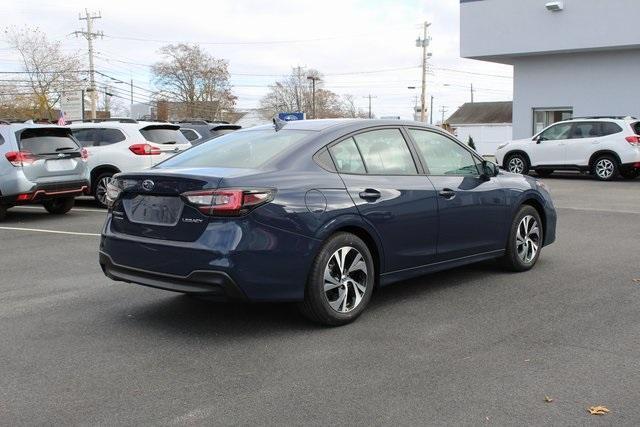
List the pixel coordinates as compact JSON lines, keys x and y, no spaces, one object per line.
{"x":195,"y":79}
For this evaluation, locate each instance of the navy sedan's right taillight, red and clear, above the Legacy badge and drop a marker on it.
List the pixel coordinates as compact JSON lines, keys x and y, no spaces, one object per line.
{"x":228,"y":201}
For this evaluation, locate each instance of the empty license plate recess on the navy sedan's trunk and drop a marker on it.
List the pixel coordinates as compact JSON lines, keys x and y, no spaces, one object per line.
{"x":153,"y":210}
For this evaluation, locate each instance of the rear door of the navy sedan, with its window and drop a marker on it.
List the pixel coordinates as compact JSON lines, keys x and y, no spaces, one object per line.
{"x":381,"y":176}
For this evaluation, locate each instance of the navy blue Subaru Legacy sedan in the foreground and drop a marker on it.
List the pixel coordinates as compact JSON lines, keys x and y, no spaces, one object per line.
{"x":320,"y":212}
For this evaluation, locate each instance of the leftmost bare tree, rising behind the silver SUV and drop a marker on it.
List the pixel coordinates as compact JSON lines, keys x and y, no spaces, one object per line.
{"x":49,"y":71}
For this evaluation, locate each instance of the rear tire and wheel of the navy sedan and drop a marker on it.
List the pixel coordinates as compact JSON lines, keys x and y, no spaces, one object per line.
{"x":333,"y":298}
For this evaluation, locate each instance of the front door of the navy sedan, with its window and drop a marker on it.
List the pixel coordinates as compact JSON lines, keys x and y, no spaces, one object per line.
{"x":471,"y":207}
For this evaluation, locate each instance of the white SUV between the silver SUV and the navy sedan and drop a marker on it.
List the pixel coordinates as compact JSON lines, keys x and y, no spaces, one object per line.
{"x":125,"y":145}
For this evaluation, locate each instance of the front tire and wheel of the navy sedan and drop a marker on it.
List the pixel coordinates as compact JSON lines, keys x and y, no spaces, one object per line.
{"x":525,"y":240}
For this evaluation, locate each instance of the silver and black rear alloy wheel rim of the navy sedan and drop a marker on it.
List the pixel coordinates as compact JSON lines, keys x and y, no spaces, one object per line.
{"x":345,"y":279}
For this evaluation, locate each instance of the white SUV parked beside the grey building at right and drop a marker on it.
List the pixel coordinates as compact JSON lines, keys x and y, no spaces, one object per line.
{"x":604,"y":146}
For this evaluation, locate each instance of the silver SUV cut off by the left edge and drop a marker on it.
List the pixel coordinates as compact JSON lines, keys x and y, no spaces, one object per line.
{"x":41,"y":164}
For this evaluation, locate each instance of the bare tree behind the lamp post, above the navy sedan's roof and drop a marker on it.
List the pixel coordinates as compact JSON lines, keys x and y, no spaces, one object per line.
{"x":295,"y":93}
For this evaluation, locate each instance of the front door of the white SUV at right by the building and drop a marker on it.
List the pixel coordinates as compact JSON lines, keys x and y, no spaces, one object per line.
{"x":549,"y":147}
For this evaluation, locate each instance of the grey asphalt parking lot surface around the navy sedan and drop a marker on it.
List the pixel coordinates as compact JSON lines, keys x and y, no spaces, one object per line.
{"x":466,"y":347}
